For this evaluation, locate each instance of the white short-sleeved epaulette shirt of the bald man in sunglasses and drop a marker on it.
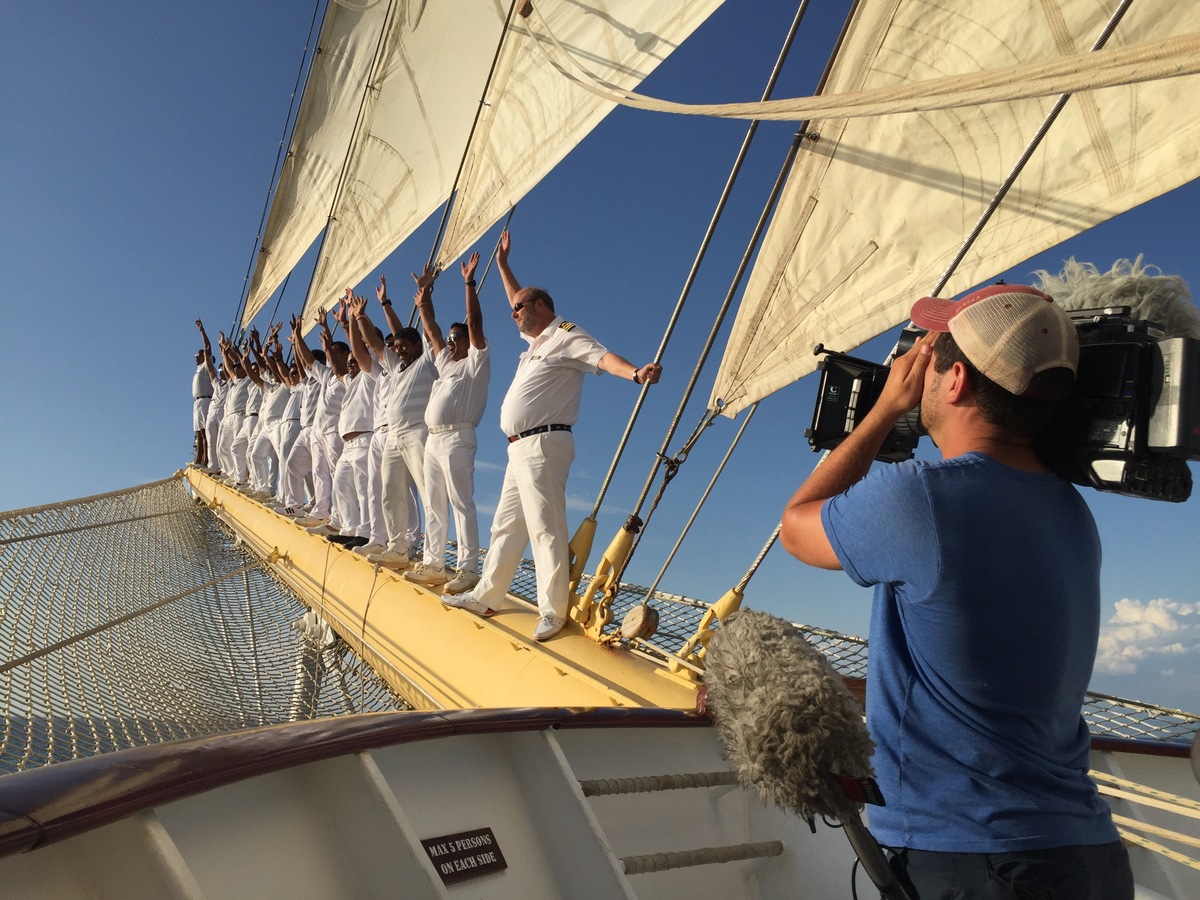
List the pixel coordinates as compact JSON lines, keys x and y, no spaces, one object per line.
{"x":549,"y":382}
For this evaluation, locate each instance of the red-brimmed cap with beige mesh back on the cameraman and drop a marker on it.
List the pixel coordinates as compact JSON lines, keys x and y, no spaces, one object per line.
{"x":1009,"y":332}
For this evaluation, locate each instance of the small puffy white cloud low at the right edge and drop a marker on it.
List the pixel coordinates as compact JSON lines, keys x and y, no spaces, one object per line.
{"x":1155,"y":633}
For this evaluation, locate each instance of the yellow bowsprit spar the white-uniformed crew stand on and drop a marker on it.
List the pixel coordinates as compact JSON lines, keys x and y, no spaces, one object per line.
{"x":435,"y":657}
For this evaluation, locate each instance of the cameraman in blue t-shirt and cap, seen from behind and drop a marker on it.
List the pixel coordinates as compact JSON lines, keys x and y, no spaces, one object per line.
{"x":986,"y":619}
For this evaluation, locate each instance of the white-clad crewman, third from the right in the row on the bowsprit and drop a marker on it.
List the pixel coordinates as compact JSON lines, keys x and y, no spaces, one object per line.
{"x":403,"y":463}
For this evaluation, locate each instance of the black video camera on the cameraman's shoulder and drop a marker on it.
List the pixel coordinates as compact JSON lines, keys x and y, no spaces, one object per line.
{"x":1129,"y":427}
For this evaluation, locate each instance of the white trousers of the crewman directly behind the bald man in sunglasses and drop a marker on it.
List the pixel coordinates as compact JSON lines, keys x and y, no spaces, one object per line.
{"x":451,"y":482}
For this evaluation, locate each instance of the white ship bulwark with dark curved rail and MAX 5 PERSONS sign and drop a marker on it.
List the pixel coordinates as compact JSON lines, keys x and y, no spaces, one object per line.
{"x":339,"y":809}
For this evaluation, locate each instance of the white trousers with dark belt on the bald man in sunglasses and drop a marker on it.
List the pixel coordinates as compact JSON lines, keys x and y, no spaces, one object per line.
{"x":532,"y":511}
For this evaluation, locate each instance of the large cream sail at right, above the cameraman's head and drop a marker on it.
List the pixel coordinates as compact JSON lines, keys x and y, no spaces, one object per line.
{"x":877,"y":209}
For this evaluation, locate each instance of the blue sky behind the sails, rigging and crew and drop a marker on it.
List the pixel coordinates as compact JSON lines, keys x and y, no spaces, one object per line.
{"x":137,"y":145}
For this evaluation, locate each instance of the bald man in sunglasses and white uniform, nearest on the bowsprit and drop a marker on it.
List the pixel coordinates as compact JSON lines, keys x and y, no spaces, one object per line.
{"x":542,"y":406}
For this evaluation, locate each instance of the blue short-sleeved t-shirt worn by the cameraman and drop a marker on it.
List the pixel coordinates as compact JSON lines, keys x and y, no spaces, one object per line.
{"x":983,"y":638}
